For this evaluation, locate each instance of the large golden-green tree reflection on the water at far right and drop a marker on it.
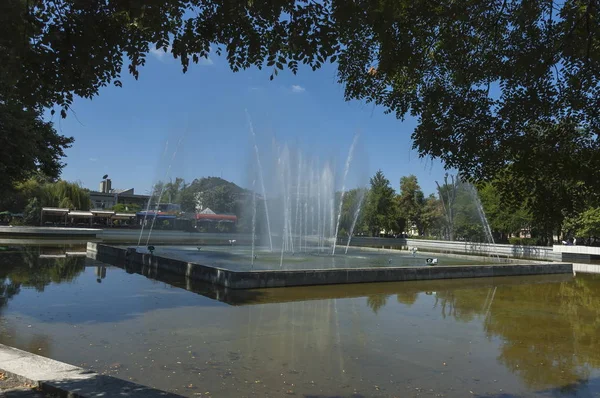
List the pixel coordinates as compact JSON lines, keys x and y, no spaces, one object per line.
{"x":550,"y":332}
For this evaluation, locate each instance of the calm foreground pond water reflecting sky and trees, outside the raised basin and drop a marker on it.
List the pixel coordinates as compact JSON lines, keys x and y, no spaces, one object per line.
{"x":502,"y":337}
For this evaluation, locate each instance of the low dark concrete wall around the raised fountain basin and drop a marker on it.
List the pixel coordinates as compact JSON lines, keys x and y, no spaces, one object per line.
{"x":287,"y":278}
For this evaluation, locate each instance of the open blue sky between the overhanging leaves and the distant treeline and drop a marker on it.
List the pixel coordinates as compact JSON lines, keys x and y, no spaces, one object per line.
{"x":131,"y":133}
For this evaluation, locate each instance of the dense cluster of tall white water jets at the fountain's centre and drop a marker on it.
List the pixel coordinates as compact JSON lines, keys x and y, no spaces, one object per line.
{"x":299,"y":195}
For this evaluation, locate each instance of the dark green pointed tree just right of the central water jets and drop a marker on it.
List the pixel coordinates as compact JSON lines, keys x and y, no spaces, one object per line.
{"x":380,"y":212}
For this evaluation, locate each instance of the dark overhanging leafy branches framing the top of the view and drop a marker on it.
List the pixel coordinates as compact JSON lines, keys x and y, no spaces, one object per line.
{"x":519,"y":86}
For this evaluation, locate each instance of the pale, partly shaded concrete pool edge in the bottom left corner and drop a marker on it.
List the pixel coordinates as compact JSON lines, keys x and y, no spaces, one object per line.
{"x":67,"y":380}
